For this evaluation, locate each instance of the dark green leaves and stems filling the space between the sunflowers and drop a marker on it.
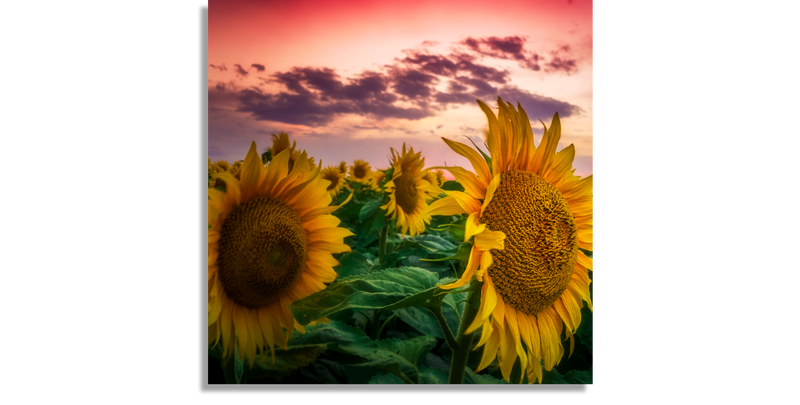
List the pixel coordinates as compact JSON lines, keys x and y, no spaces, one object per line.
{"x":406,"y":345}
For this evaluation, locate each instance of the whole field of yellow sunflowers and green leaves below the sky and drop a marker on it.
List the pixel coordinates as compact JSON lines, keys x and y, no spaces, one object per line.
{"x":355,"y":274}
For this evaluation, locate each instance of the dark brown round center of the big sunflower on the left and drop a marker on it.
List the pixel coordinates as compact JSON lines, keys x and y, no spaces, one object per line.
{"x":262,"y":251}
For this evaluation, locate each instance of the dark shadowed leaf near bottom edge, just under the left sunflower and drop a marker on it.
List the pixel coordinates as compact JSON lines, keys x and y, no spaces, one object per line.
{"x":285,"y":361}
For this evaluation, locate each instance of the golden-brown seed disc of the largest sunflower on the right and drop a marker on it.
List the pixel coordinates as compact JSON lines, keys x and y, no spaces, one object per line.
{"x":541,"y":245}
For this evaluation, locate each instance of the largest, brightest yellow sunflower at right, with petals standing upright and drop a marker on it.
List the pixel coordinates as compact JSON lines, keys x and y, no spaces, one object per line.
{"x":529,"y":215}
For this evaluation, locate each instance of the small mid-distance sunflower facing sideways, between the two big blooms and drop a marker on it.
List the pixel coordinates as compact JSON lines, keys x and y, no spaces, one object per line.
{"x":409,"y":192}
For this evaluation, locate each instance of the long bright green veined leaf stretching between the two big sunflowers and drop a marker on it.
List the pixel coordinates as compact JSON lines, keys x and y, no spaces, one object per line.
{"x":386,"y":289}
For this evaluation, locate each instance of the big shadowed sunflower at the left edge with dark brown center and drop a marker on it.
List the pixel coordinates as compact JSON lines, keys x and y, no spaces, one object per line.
{"x":270,"y":242}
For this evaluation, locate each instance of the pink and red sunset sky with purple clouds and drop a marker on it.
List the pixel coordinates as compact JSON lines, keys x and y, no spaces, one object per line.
{"x":349,"y":80}
